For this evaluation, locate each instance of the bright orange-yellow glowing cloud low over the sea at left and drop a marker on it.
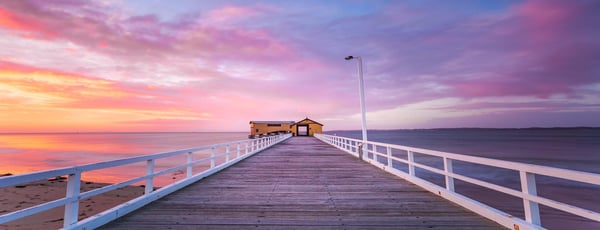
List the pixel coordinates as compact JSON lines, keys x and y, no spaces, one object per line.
{"x":38,"y":100}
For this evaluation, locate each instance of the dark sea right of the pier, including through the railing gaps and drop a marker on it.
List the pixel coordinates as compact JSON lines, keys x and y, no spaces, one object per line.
{"x":576,"y":149}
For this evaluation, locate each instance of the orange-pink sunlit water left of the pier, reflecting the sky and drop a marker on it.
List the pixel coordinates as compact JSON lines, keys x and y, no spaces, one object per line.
{"x":22,"y":153}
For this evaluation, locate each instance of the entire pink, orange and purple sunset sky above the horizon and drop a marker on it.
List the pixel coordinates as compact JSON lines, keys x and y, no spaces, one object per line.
{"x":201,"y":66}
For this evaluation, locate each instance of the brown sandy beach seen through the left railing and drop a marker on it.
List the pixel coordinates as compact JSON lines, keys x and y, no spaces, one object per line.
{"x":26,"y":195}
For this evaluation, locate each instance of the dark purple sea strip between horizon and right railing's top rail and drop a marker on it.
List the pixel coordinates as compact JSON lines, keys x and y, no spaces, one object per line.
{"x":576,"y":148}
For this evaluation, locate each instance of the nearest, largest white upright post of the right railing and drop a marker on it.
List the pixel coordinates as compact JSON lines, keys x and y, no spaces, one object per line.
{"x":532,"y":210}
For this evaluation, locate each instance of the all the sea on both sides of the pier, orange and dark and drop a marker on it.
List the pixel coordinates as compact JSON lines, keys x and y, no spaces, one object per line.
{"x":573,"y":148}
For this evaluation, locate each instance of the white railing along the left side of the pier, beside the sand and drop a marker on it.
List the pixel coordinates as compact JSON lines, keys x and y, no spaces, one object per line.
{"x":243,"y":149}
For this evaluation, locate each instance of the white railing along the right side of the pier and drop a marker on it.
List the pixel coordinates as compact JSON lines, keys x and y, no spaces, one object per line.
{"x":527,"y":174}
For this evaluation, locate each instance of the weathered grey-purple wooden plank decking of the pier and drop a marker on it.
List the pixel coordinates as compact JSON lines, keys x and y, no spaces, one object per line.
{"x":302,"y":183}
